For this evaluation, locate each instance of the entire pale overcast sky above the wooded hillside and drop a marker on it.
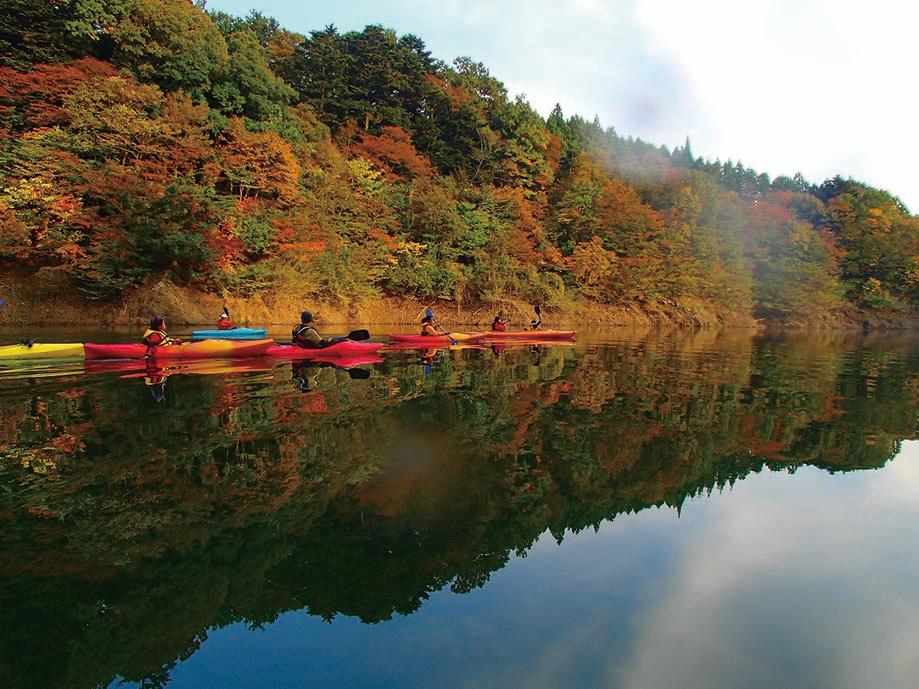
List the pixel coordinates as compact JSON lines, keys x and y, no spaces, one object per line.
{"x":822,"y":87}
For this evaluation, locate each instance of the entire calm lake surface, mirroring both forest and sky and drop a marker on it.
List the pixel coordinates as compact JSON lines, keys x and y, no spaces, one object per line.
{"x":696,"y":510}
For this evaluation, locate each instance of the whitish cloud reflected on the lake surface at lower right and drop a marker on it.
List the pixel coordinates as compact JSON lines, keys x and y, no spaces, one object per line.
{"x":815,"y":582}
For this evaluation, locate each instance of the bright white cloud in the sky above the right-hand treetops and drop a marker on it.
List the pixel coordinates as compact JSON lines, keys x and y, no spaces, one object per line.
{"x":819,"y":87}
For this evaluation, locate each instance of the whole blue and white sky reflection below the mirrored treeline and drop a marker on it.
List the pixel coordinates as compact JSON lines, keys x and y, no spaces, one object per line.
{"x":803,"y":580}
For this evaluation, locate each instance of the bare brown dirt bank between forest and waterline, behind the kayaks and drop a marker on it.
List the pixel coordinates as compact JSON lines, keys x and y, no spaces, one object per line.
{"x":37,"y":301}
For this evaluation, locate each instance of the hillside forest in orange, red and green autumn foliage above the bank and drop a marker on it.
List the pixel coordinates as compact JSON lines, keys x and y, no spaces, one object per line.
{"x":153,"y":139}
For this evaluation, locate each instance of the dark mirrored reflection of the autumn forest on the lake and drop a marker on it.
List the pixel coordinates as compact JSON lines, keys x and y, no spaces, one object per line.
{"x":117,"y":560}
